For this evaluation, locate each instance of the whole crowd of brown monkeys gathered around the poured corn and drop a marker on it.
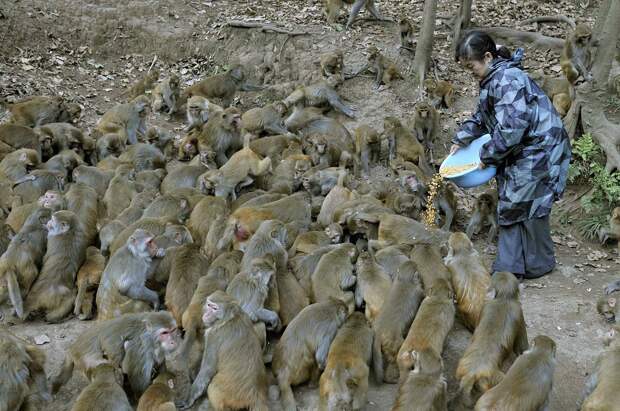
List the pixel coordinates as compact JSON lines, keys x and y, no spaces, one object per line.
{"x":253,"y":254}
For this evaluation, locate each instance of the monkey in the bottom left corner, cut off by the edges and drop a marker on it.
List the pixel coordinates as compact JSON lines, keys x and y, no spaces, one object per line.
{"x":24,"y":383}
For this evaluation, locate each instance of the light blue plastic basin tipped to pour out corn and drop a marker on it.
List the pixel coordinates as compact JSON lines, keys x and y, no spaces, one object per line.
{"x":469,"y":155}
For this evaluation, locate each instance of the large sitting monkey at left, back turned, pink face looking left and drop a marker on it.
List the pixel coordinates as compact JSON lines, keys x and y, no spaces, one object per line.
{"x":54,"y":290}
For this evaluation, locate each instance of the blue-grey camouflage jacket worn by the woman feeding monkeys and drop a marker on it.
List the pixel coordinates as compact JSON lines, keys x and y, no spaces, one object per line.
{"x":529,"y":145}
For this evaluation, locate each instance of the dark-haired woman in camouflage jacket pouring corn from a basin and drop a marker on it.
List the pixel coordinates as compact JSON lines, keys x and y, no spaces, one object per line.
{"x":529,"y":146}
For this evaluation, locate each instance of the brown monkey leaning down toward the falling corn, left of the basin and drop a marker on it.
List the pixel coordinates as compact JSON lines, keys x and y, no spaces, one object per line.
{"x":404,"y":145}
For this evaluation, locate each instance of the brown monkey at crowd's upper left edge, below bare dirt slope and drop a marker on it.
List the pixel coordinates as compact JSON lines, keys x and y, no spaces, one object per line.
{"x":37,"y":110}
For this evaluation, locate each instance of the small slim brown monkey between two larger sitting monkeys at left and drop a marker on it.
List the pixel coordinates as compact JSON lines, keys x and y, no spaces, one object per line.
{"x":87,"y":282}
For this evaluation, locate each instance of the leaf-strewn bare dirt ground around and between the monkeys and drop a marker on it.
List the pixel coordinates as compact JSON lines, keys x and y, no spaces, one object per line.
{"x":91,"y":50}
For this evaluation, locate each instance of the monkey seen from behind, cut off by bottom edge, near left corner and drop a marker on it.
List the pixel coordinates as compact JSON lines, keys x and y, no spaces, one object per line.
{"x":104,"y":392}
